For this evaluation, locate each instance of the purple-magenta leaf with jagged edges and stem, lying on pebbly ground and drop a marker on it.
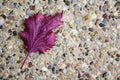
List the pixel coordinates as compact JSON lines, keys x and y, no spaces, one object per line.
{"x":38,"y":34}
